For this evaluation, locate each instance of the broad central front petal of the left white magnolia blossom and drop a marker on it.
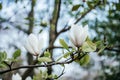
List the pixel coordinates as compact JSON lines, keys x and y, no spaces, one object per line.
{"x":33,"y":40}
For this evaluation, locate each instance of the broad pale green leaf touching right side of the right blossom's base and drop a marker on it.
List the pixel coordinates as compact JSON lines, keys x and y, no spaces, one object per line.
{"x":88,"y":46}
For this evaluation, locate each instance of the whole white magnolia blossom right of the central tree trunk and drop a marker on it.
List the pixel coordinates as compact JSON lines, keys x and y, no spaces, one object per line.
{"x":78,"y":35}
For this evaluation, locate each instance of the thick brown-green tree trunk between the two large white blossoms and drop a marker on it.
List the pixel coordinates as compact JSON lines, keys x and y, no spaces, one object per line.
{"x":53,"y":29}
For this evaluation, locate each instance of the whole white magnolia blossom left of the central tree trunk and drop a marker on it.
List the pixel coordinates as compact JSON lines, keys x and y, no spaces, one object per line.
{"x":34,"y":44}
